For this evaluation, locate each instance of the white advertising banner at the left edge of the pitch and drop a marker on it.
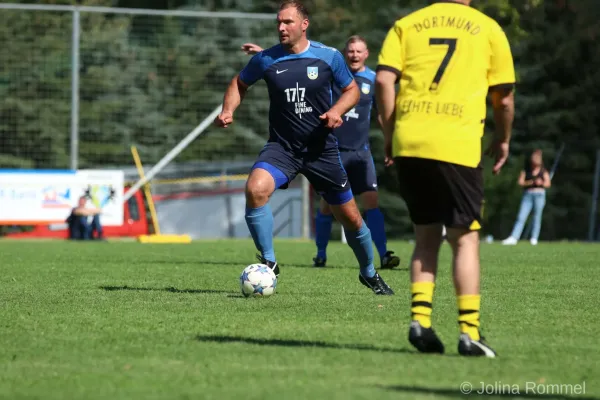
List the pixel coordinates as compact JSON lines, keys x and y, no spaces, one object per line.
{"x":40,"y":197}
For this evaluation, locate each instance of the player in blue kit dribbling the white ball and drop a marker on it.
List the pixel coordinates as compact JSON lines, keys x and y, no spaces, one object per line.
{"x":300,"y":77}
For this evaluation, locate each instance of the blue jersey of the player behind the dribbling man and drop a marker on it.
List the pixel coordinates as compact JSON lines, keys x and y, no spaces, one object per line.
{"x":354,"y":132}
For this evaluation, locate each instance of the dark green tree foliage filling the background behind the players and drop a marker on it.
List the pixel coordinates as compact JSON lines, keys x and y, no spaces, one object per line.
{"x":148,"y":81}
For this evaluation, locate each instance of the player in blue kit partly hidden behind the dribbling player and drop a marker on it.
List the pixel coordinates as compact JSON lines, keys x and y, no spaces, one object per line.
{"x":353,"y":142}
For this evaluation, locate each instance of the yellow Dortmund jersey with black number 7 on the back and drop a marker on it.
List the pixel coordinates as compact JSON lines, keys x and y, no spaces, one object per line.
{"x":447,"y":55}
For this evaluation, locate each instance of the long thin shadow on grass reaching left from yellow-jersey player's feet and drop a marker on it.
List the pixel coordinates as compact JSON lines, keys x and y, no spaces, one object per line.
{"x":298,"y":343}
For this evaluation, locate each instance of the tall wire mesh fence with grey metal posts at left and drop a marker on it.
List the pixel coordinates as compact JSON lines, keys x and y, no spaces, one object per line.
{"x":80,"y":85}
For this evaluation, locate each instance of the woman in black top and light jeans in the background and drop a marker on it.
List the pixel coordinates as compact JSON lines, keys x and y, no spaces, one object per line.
{"x":534,"y":179}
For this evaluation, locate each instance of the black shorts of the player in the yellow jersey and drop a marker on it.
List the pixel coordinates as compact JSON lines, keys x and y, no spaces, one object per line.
{"x":441,"y":192}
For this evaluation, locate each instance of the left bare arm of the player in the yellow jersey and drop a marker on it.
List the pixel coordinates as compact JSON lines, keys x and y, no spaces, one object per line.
{"x":385,"y":95}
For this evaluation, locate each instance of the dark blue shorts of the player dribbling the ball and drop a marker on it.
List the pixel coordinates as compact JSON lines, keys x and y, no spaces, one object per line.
{"x":324,"y":170}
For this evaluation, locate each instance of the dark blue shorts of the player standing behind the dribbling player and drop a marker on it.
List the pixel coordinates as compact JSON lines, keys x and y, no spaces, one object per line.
{"x":361,"y":170}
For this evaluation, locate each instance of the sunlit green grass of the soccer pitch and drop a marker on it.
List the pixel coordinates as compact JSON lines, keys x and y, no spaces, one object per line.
{"x":132,"y":321}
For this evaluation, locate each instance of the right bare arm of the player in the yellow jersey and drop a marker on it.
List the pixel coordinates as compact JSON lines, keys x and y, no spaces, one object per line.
{"x":503,"y":102}
